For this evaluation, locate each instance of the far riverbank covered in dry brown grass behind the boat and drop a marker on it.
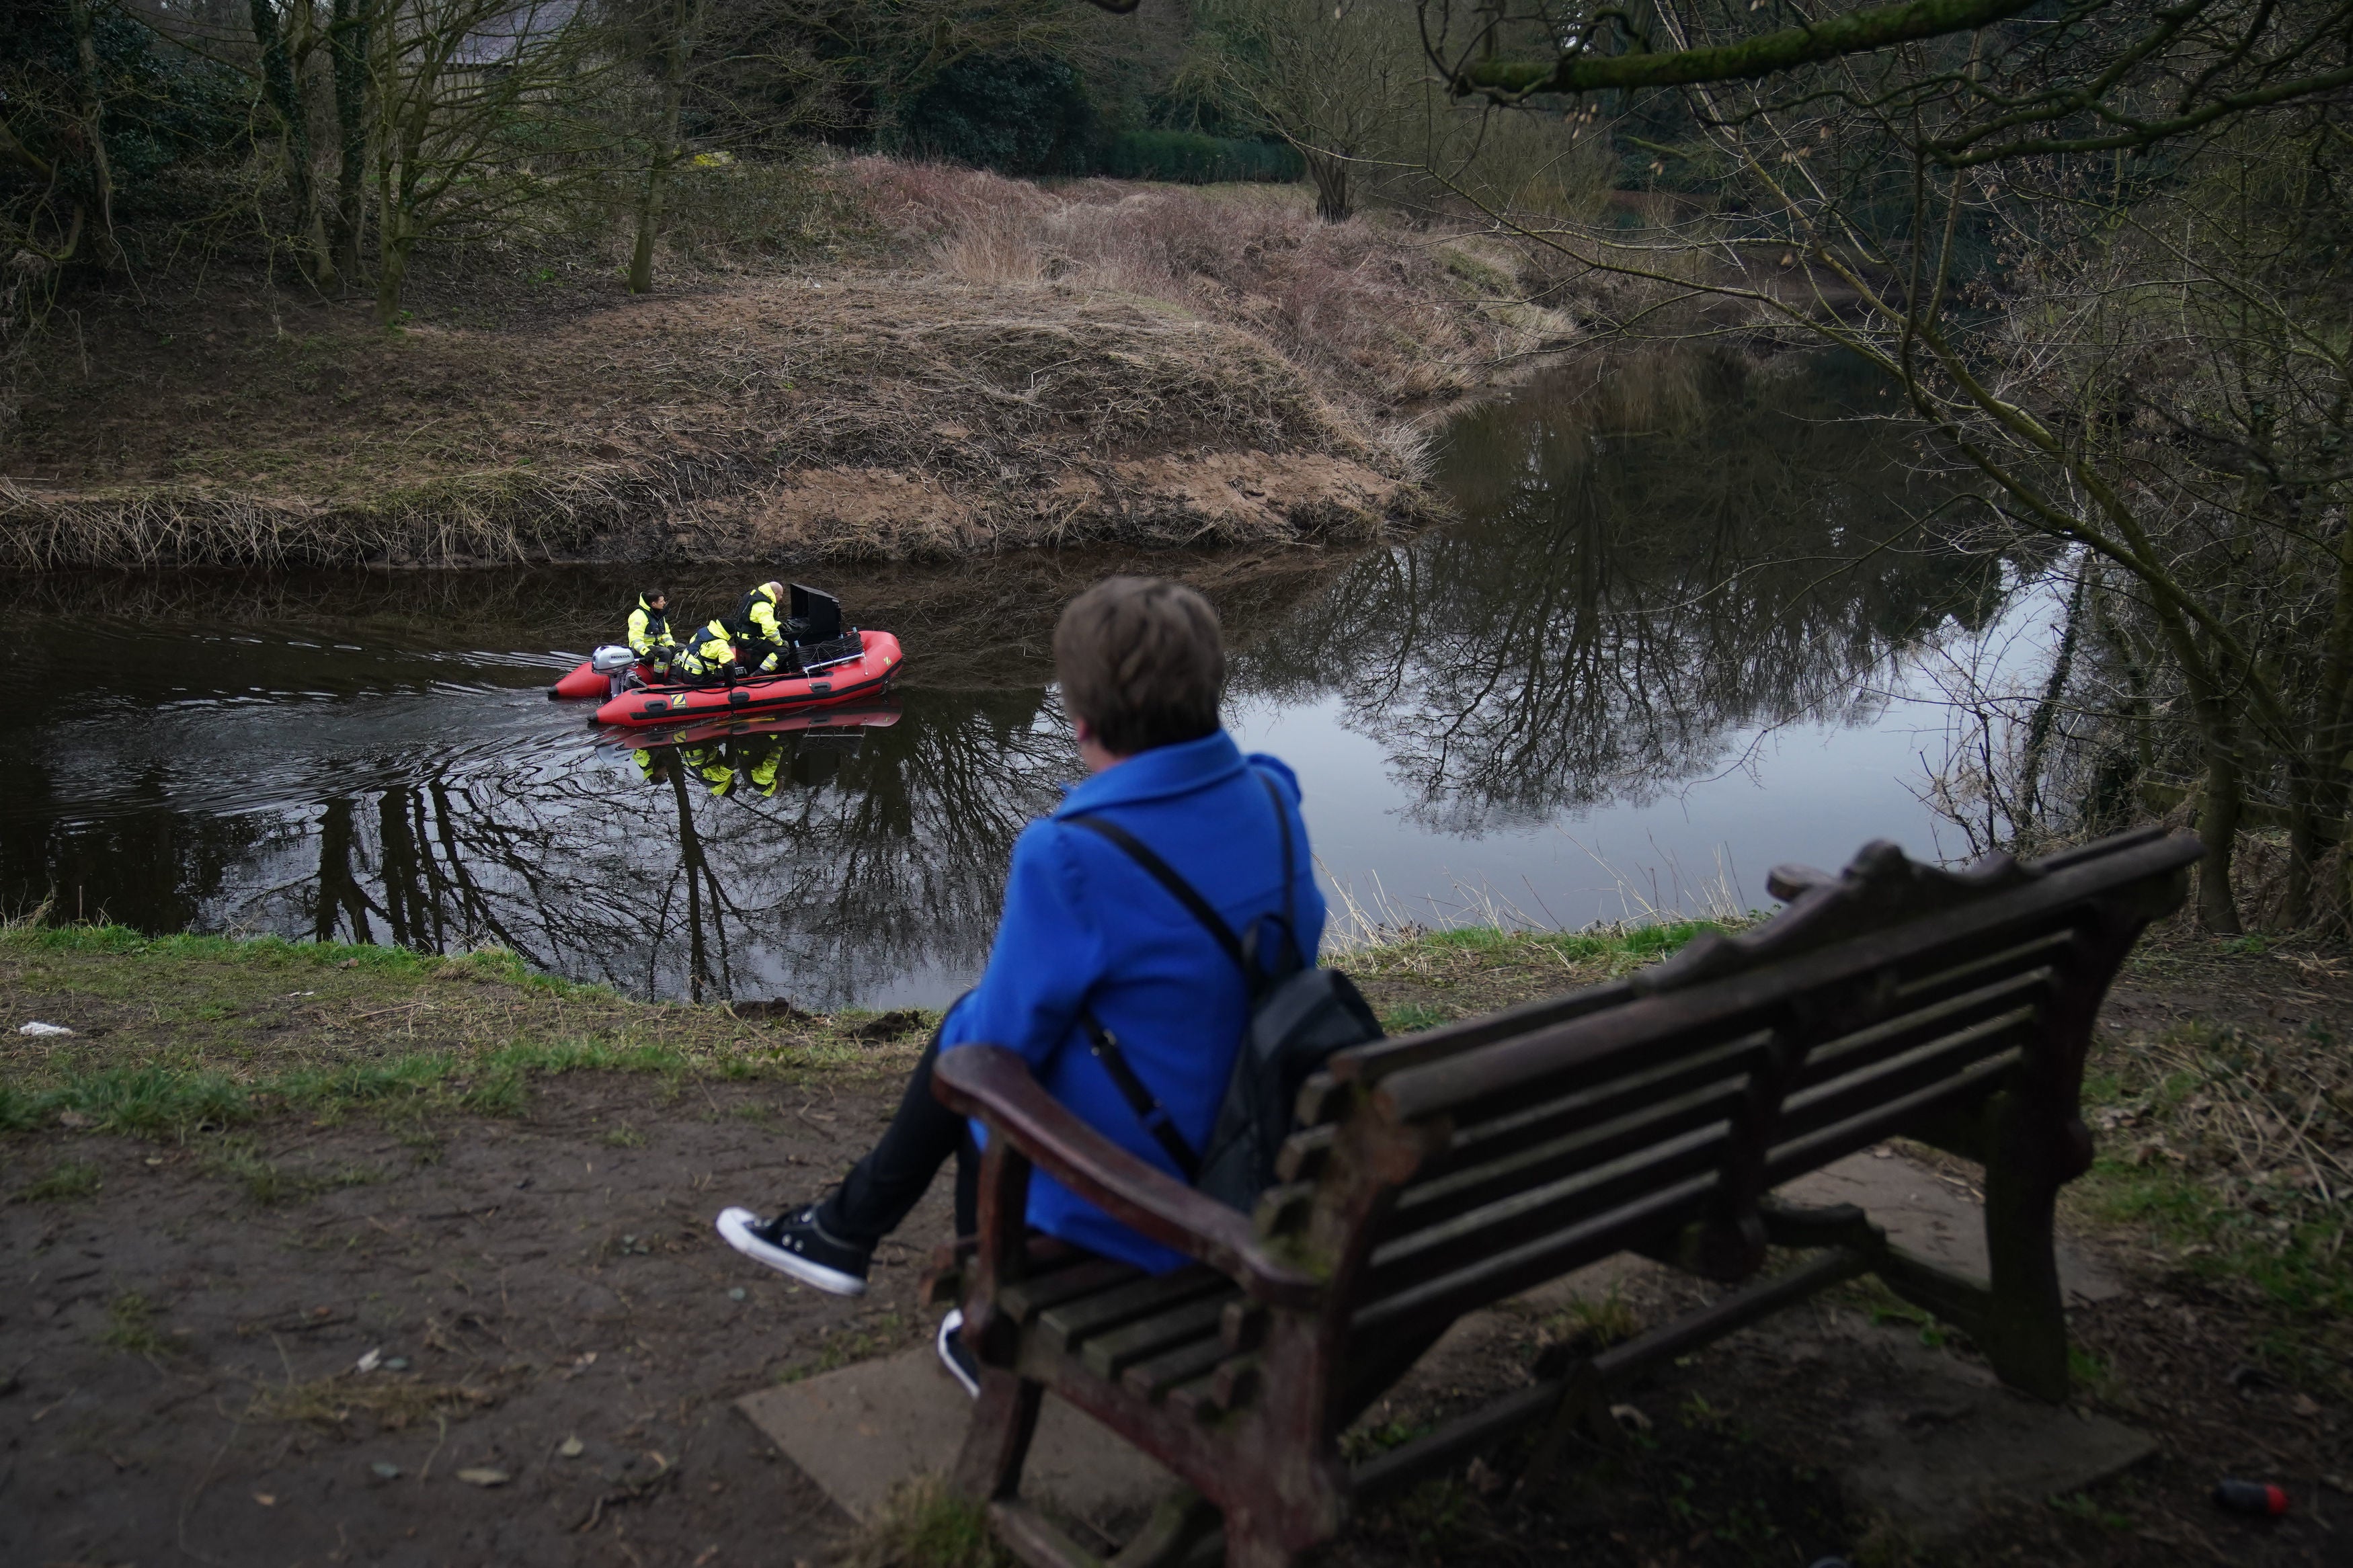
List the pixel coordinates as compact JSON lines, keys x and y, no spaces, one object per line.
{"x":860,"y":361}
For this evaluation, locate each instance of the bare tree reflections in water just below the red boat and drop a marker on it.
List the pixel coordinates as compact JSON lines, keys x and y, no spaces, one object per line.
{"x":820,"y":864}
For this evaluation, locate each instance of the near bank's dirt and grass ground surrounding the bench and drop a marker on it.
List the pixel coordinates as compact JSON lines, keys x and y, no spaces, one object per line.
{"x":258,"y":1162}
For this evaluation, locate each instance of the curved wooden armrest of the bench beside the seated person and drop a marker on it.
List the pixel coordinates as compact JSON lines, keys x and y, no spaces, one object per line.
{"x":996,"y":1085}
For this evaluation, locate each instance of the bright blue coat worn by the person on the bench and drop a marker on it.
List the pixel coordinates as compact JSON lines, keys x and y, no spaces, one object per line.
{"x":1086,"y":927}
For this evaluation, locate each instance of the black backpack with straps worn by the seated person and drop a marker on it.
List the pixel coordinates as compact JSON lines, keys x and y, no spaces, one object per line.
{"x":1298,"y":1019}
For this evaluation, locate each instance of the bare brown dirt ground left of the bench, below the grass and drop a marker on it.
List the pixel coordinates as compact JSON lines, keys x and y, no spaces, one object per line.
{"x":545,"y":1299}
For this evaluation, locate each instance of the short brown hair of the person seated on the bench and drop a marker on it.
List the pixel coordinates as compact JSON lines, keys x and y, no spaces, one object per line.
{"x":1142,"y":662}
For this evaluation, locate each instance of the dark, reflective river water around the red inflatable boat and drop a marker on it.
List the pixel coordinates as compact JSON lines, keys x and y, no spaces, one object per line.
{"x":1672,"y":641}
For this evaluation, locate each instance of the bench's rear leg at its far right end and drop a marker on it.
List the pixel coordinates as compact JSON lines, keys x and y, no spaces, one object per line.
{"x":2029,"y":1313}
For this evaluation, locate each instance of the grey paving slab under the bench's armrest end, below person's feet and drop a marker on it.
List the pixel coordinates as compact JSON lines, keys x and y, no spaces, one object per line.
{"x":865,"y":1428}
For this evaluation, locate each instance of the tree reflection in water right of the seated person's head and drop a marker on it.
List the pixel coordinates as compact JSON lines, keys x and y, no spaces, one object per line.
{"x":1627,"y":591}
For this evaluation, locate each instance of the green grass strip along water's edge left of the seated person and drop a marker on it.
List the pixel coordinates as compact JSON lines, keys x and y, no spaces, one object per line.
{"x":204,"y":1033}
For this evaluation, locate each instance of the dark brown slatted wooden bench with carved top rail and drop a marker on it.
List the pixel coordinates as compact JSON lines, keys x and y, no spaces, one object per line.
{"x":1451,"y":1170}
